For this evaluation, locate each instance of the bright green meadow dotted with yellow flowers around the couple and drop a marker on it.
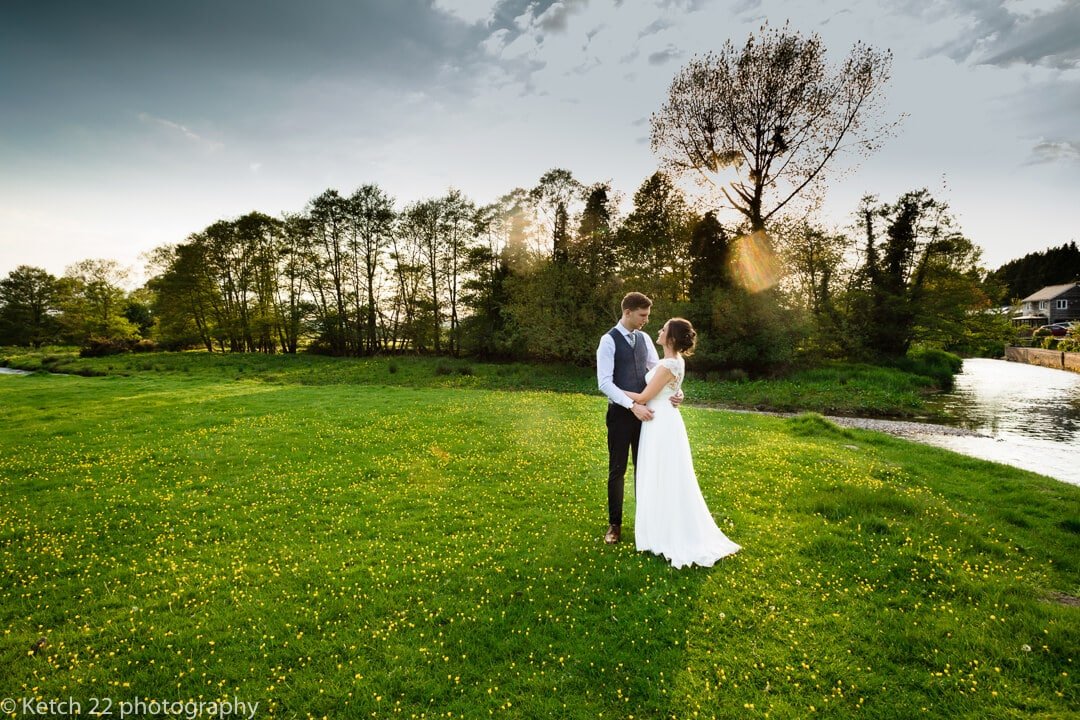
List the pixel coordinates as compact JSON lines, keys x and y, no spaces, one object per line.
{"x":342,"y":550}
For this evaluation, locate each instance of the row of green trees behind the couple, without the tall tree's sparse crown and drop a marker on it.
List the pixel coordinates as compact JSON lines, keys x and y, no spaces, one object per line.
{"x":537,"y":276}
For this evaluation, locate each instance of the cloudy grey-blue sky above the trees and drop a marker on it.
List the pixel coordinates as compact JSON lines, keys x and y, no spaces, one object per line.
{"x":126,"y":126}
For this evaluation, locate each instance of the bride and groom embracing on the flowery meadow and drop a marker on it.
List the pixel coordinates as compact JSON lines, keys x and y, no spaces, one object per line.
{"x":644,"y":393}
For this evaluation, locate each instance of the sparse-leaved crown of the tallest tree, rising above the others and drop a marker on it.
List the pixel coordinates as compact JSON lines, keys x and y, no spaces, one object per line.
{"x":774,"y":107}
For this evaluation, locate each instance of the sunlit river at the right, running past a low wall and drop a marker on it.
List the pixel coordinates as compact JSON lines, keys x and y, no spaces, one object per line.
{"x":1022,"y":415}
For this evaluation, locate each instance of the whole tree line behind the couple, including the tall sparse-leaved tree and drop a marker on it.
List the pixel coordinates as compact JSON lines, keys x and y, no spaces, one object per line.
{"x":538,"y":274}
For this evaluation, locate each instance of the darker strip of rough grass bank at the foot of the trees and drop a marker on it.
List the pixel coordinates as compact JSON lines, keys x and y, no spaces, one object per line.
{"x":835,"y":389}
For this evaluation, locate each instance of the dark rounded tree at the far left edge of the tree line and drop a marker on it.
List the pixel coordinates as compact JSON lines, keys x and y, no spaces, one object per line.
{"x":28,"y":307}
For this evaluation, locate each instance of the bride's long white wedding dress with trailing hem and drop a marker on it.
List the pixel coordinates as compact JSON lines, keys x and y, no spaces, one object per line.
{"x":671,"y":518}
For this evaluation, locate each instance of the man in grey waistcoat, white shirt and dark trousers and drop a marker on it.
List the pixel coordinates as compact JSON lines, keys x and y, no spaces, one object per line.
{"x":623,"y":359}
